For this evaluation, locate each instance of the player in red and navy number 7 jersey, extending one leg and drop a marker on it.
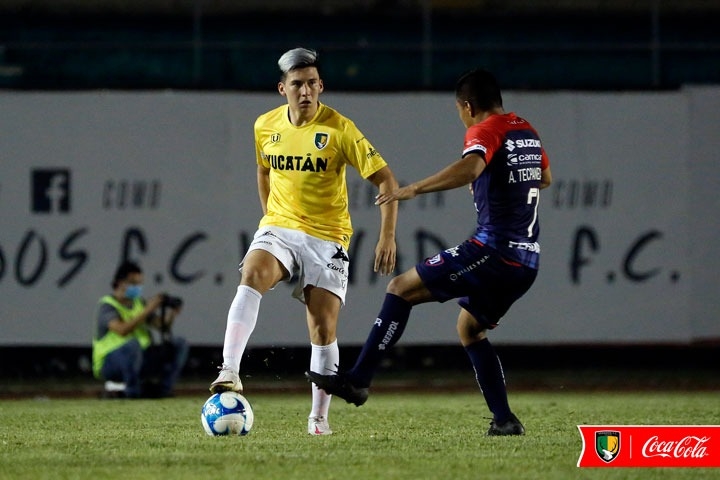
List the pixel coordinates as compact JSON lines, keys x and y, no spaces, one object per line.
{"x":505,"y":165}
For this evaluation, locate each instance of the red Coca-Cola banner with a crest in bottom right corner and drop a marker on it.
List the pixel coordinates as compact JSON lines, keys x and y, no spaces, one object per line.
{"x":650,"y":446}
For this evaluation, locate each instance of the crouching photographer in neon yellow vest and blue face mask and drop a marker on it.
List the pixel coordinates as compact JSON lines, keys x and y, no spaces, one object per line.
{"x":124,"y":352}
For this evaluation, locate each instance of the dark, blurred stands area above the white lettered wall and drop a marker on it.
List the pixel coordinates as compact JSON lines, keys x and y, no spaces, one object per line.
{"x":363,"y":49}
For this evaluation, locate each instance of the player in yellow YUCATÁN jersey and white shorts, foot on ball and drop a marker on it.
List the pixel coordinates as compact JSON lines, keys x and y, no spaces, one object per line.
{"x":302,"y":150}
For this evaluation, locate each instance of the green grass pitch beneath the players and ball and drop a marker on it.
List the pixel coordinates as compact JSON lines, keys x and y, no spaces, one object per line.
{"x":393,"y":436}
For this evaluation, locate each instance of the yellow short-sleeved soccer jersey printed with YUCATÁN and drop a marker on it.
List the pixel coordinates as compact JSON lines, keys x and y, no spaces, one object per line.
{"x":308,"y":191}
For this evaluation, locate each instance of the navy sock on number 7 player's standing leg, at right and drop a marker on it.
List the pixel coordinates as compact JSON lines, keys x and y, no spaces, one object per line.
{"x":490,"y":377}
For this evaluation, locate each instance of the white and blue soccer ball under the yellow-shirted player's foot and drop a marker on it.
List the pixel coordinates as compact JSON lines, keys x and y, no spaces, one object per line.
{"x":227,"y":413}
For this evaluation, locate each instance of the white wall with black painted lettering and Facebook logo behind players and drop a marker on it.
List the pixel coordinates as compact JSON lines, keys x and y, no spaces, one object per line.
{"x":168,"y":179}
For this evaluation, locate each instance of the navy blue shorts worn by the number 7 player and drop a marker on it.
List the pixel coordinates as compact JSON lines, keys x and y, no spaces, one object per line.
{"x":485,"y":284}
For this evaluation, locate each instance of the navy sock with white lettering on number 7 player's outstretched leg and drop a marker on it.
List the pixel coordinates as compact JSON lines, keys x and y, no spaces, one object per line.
{"x":385,"y":333}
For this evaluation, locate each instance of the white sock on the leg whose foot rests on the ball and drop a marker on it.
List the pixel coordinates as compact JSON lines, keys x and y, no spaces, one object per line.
{"x":241,"y":320}
